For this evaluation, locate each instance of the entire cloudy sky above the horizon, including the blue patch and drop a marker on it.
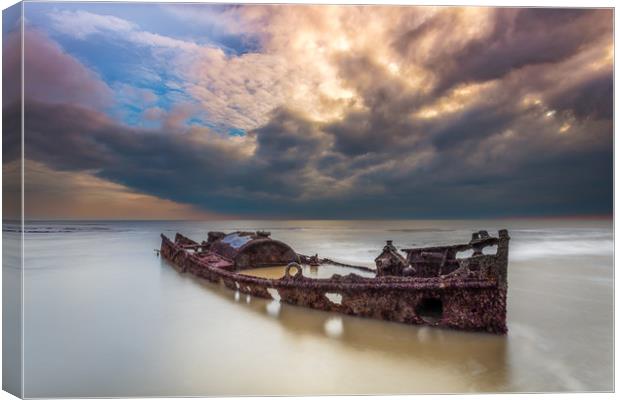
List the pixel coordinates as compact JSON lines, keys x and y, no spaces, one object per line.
{"x":147,"y":110}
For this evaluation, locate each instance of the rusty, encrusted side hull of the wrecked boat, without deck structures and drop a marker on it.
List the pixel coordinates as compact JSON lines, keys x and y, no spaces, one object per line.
{"x":475,"y":301}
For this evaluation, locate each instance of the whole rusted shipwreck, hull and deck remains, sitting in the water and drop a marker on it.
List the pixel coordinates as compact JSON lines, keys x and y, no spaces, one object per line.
{"x":428,"y":286}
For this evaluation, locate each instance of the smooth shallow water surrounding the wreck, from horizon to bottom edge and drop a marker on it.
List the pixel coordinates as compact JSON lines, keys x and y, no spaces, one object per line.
{"x":104,"y":316}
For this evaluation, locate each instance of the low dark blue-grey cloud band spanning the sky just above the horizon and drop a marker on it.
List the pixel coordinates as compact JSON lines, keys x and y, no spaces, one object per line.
{"x":541,"y":176}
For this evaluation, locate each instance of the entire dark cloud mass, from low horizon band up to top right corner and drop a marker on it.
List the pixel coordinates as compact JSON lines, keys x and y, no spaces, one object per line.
{"x":537,"y":140}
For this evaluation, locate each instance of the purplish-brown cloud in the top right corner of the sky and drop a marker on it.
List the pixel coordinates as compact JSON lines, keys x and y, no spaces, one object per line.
{"x":519,"y":38}
